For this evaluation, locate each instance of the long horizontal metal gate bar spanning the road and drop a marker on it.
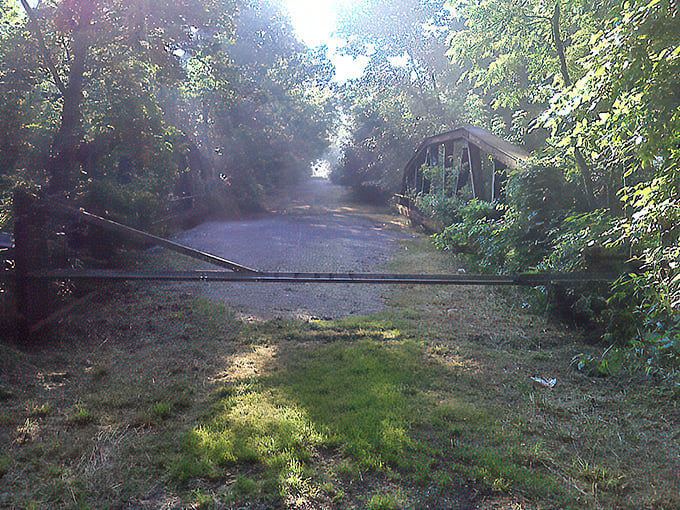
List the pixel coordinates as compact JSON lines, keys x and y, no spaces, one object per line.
{"x":524,"y":279}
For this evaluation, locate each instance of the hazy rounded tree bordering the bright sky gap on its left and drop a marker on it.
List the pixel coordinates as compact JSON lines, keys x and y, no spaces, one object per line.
{"x":268,"y":112}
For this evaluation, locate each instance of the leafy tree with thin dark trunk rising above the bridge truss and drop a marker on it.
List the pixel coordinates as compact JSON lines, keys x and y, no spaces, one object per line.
{"x":516,"y":57}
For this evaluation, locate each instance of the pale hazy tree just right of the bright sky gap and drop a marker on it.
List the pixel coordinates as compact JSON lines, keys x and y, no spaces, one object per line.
{"x":406,"y":91}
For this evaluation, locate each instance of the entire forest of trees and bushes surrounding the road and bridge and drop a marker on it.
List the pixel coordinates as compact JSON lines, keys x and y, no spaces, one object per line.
{"x":126,"y":106}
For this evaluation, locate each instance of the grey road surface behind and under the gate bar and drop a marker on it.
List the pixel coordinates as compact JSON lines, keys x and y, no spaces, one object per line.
{"x":313,"y":226}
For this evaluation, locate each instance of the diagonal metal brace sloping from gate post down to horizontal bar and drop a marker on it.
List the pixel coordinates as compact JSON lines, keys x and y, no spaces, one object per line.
{"x":114,"y":226}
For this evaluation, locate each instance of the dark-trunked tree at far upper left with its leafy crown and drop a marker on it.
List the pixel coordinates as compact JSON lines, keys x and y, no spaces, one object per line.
{"x":95,"y":42}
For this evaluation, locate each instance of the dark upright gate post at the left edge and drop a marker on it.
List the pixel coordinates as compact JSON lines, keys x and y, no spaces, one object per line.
{"x":30,"y":254}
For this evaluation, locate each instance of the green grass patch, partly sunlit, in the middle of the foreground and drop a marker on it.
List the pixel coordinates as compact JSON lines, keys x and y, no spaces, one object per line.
{"x":368,"y":392}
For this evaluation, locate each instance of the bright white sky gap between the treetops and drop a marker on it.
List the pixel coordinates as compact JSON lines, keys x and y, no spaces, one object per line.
{"x":315,"y":23}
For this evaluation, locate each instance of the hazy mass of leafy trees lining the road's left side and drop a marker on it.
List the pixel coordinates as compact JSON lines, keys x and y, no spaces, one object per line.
{"x":161,"y":101}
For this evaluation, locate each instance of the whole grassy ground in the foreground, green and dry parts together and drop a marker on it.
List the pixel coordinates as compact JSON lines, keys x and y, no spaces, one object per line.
{"x":171,"y":398}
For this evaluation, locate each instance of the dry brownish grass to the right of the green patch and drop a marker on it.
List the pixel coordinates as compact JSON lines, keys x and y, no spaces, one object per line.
{"x":614,"y":441}
